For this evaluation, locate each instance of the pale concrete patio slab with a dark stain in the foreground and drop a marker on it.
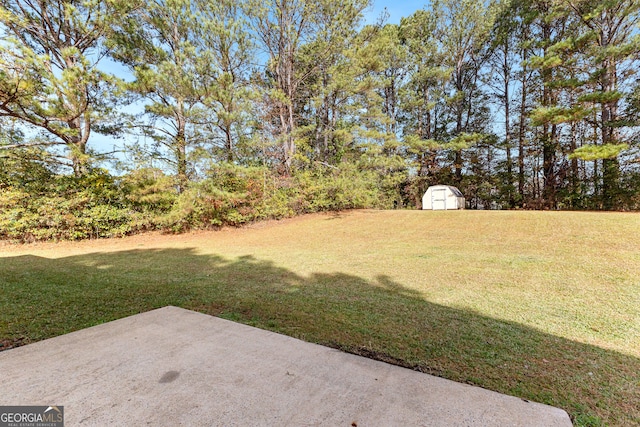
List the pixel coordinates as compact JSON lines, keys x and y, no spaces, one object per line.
{"x":177,"y":367}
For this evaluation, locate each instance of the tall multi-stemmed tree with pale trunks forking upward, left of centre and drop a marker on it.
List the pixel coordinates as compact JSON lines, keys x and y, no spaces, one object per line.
{"x":283,"y":27}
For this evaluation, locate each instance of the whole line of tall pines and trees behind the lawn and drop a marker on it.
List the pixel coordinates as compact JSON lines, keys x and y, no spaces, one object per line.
{"x":521,"y":104}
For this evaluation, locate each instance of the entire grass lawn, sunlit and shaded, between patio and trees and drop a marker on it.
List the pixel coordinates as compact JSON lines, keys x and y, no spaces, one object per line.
{"x":541,"y":305}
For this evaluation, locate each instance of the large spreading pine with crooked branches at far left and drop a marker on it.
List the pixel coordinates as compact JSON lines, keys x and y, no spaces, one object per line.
{"x":49,"y":79}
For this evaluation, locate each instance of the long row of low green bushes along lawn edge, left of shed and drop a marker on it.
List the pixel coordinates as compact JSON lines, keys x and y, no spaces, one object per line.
{"x":100,"y":205}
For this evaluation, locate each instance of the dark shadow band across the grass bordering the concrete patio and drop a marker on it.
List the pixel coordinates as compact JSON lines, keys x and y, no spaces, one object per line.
{"x":41,"y":298}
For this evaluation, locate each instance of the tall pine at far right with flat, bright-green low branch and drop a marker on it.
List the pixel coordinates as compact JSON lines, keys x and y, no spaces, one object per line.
{"x":609,"y":46}
